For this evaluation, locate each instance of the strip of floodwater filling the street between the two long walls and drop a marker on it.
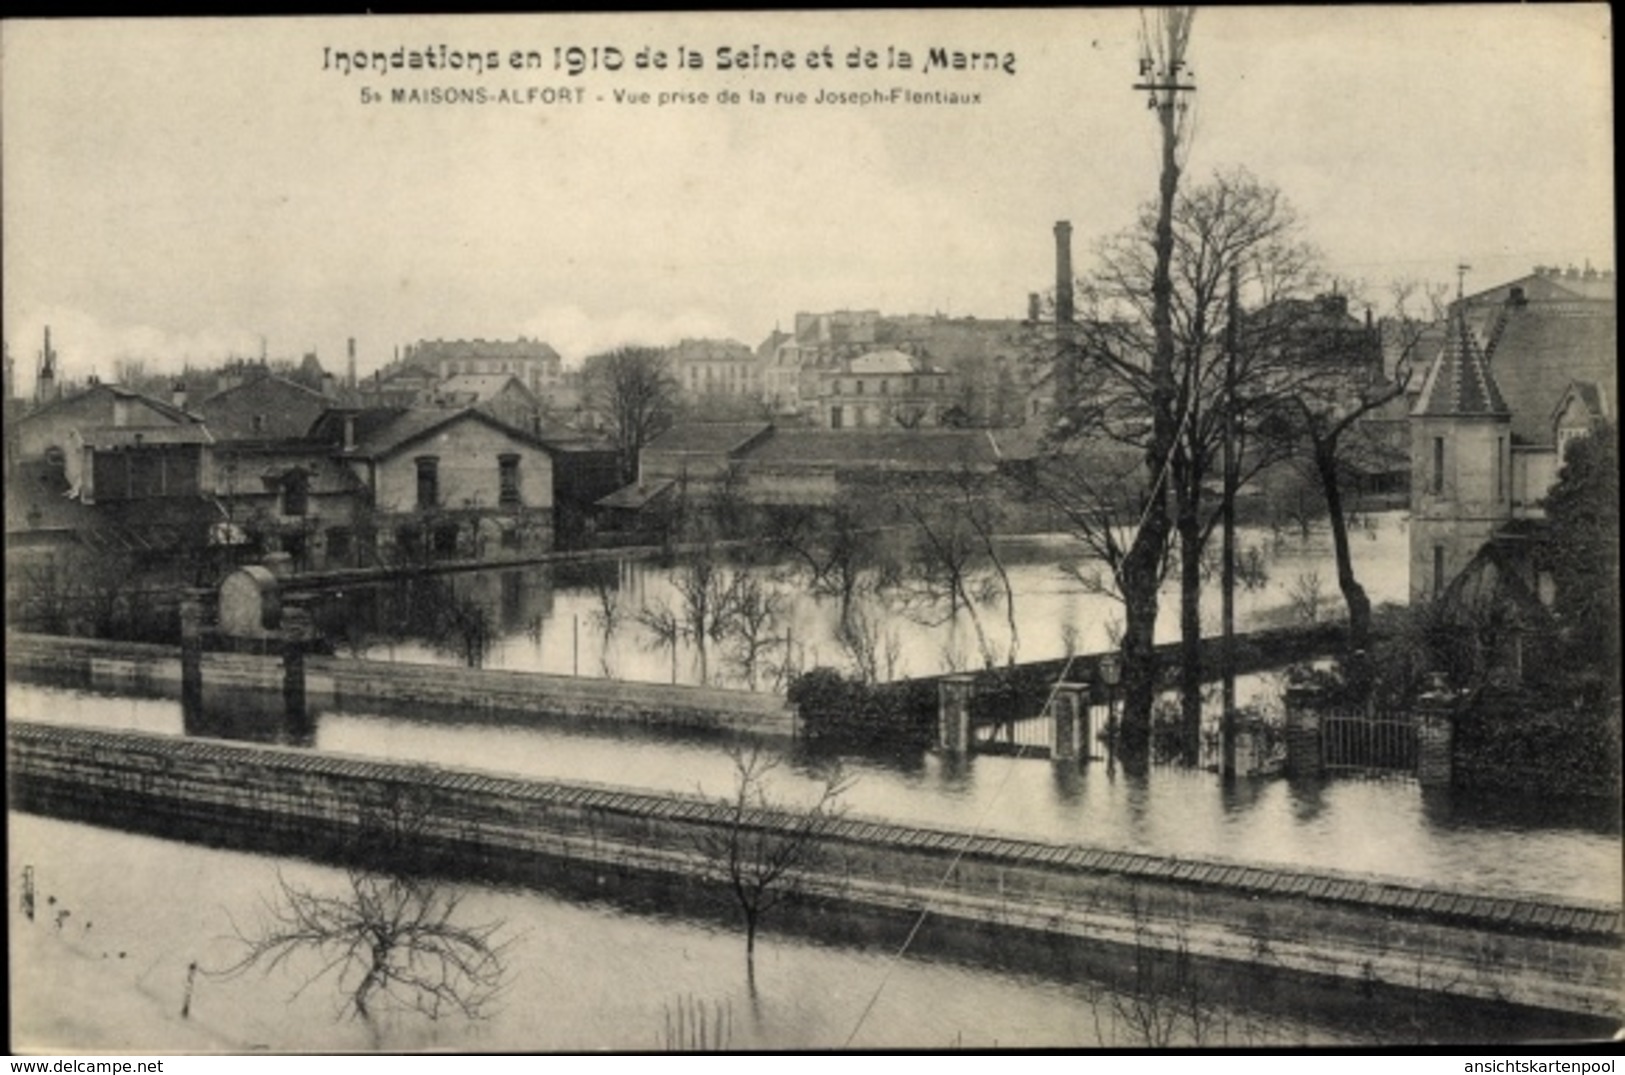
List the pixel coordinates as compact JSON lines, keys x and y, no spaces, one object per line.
{"x":1380,"y":827}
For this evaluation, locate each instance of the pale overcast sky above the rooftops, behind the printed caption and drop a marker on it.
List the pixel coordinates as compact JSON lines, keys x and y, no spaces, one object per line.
{"x":181,"y":189}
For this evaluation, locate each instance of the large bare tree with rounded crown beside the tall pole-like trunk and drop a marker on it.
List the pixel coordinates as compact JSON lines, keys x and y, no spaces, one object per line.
{"x":1233,"y":236}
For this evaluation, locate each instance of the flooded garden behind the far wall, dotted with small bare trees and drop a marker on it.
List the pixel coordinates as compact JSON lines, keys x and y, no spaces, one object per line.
{"x":583,"y":620}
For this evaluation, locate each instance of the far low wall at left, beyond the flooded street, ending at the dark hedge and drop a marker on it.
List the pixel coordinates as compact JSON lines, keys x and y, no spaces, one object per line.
{"x":350,"y":683}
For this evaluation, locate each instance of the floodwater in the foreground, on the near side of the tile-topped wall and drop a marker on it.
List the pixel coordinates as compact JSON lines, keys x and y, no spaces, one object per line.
{"x":581,"y":977}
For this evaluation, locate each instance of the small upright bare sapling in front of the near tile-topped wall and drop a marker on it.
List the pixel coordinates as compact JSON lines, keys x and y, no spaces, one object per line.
{"x":761,"y":852}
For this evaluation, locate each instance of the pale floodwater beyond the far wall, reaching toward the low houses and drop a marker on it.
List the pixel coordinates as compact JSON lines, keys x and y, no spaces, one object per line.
{"x":581,"y":618}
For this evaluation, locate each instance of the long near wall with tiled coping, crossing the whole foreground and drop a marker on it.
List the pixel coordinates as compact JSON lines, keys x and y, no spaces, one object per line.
{"x":1528,"y":952}
